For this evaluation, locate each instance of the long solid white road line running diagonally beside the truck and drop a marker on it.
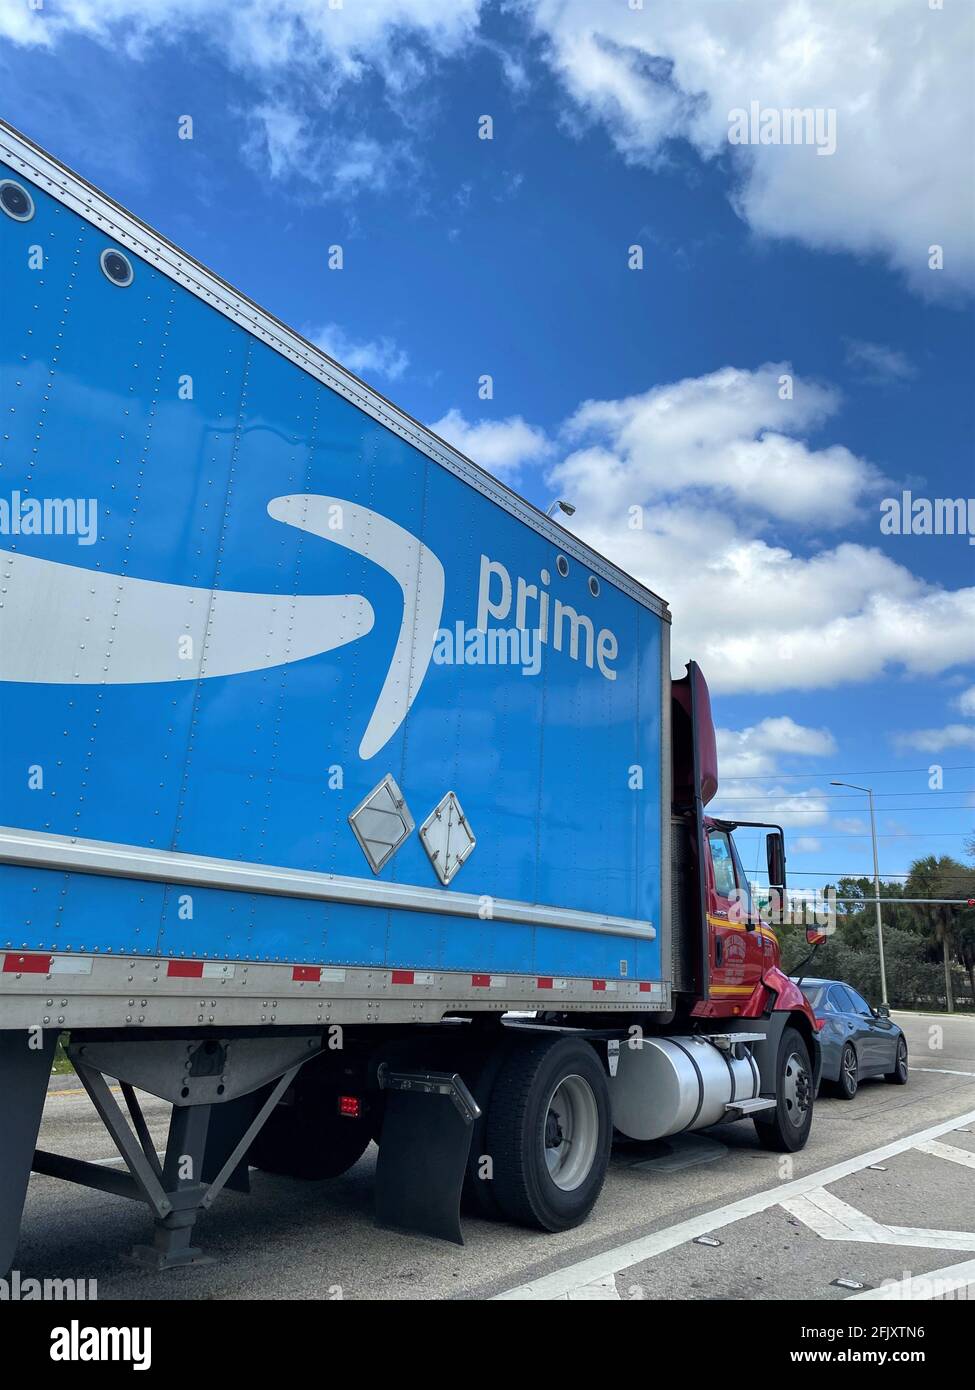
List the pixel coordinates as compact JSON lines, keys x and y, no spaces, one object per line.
{"x":646,"y":1248}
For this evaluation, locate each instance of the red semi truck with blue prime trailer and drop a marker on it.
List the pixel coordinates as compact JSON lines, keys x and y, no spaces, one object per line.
{"x":346,"y":797}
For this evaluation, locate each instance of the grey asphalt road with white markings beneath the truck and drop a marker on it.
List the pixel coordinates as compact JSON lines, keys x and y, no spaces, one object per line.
{"x":885,"y":1192}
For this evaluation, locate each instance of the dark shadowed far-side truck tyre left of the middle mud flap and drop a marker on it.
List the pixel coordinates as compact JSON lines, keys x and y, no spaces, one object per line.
{"x":305,"y":1140}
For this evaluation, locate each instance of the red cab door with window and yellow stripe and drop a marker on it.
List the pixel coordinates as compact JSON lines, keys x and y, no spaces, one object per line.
{"x":736,"y":954}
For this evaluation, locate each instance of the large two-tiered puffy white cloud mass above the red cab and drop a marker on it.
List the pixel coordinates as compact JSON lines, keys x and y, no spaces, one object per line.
{"x":759,"y":616}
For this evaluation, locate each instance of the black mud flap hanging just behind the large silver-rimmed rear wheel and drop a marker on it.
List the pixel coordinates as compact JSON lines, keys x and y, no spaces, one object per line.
{"x":426,"y":1138}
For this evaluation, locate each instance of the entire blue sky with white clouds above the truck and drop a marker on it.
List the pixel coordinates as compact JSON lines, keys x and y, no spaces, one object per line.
{"x":832,"y":650}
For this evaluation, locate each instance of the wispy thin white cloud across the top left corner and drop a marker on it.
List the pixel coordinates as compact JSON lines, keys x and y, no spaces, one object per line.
{"x":305,"y":58}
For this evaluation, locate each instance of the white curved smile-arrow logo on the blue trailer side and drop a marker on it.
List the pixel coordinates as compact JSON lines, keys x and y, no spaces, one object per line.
{"x":119,"y":630}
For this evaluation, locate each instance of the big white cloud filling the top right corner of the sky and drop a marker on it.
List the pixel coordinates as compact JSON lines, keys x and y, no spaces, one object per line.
{"x":898,"y":77}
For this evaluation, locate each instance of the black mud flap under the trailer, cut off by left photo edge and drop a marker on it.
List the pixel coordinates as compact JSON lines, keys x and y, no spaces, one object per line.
{"x":24,"y":1072}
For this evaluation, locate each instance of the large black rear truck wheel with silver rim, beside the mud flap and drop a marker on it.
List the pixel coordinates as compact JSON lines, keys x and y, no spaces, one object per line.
{"x":549,"y":1134}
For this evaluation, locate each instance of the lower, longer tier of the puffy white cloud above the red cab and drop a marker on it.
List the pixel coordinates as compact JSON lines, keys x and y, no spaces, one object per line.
{"x":763,"y":618}
